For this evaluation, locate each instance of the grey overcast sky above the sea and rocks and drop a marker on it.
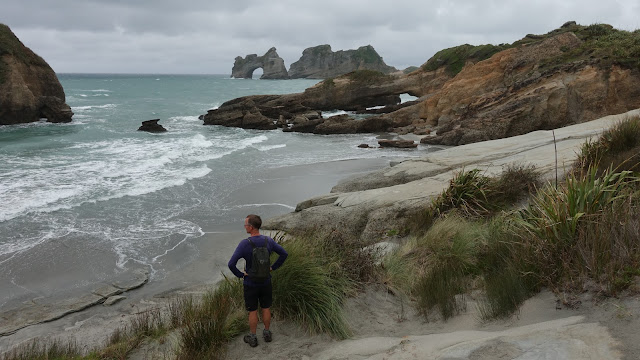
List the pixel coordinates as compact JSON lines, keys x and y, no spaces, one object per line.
{"x":205,"y":36}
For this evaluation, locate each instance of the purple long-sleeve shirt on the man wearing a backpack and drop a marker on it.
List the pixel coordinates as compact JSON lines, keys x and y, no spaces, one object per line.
{"x":244,"y":251}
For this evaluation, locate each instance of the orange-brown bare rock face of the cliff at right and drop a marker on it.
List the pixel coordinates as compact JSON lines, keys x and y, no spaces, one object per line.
{"x":514,"y":92}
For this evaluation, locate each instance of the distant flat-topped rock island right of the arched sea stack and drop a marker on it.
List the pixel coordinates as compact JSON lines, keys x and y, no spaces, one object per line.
{"x":320,"y":62}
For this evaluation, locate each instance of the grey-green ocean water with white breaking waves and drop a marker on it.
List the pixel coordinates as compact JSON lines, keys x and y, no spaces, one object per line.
{"x":83,"y":201}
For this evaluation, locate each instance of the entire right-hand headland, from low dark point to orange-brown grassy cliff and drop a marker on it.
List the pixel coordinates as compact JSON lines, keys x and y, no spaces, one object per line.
{"x":469,"y":93}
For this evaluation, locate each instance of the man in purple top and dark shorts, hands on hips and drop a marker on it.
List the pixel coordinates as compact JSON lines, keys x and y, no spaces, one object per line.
{"x":255,"y":291}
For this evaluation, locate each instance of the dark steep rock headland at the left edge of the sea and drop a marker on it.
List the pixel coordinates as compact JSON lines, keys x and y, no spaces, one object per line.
{"x":29,"y":88}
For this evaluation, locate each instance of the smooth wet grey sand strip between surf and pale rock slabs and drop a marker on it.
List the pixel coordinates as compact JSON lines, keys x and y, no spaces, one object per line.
{"x":91,"y":323}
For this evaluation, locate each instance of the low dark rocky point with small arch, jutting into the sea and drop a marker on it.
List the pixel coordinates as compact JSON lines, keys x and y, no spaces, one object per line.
{"x":354,"y":91}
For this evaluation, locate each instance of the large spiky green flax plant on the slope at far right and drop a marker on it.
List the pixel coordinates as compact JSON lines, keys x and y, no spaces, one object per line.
{"x":549,"y":228}
